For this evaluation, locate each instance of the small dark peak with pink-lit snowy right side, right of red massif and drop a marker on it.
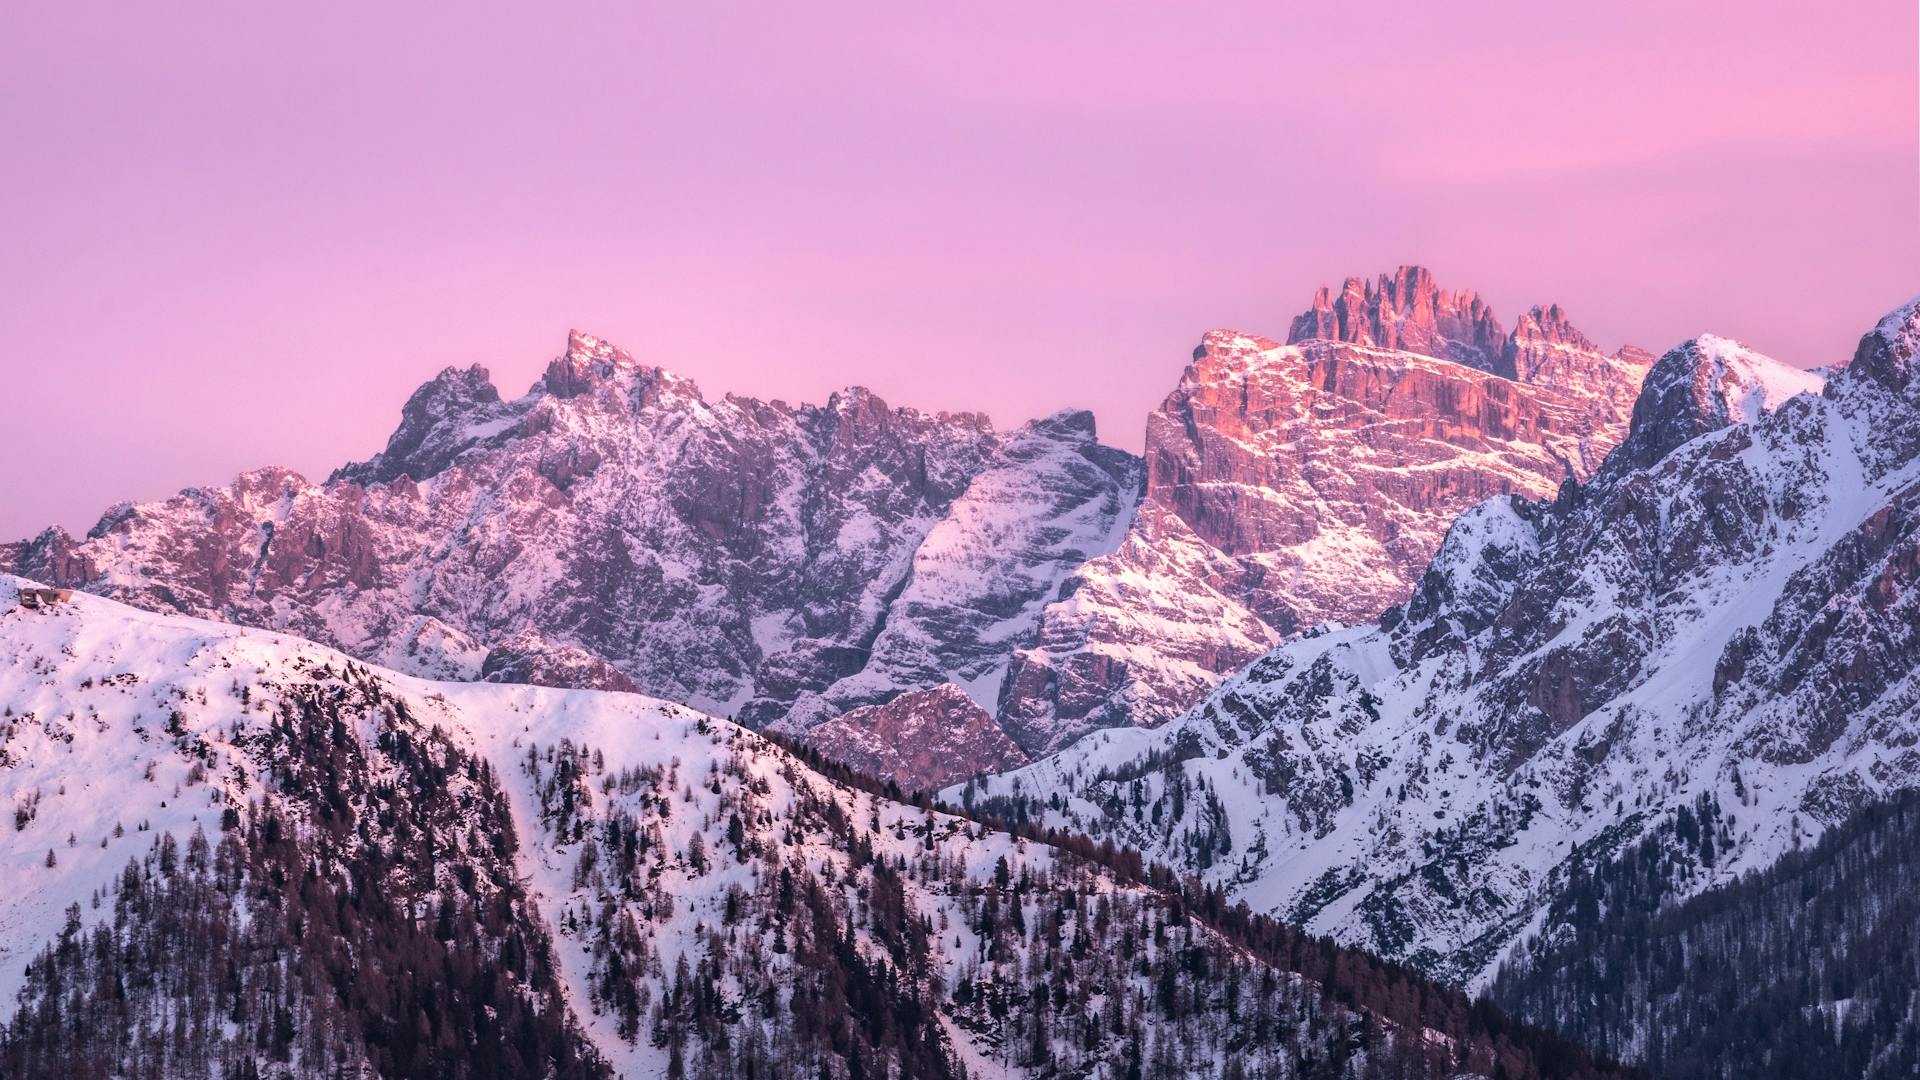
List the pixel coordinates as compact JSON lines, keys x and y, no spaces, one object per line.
{"x":1704,"y":385}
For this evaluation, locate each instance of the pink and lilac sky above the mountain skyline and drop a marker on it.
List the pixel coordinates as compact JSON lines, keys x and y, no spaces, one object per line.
{"x":241,"y":237}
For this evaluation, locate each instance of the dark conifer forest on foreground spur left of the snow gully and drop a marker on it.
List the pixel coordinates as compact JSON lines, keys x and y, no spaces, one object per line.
{"x":352,"y":910}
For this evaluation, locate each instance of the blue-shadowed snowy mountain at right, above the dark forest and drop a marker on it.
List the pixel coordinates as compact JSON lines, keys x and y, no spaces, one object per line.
{"x":1729,"y":610}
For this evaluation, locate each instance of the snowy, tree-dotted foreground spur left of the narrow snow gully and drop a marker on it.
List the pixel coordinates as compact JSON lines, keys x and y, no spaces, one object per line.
{"x":235,"y":854}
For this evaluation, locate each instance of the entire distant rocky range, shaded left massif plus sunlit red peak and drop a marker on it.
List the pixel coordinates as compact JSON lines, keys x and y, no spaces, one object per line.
{"x":794,"y":566}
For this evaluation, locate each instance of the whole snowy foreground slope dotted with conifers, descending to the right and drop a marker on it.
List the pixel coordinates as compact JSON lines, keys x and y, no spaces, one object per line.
{"x":241,"y":854}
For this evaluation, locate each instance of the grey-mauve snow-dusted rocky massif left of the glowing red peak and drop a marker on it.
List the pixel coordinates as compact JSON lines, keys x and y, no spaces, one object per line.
{"x":619,"y":529}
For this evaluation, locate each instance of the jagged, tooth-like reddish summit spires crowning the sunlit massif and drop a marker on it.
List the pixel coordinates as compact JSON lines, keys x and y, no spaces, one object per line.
{"x":1408,"y":312}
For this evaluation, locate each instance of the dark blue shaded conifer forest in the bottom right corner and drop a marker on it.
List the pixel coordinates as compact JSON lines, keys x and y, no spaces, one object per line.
{"x":1808,"y":970}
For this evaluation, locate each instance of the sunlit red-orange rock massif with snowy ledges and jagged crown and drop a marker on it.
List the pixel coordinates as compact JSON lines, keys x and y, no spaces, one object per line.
{"x":1308,"y":483}
